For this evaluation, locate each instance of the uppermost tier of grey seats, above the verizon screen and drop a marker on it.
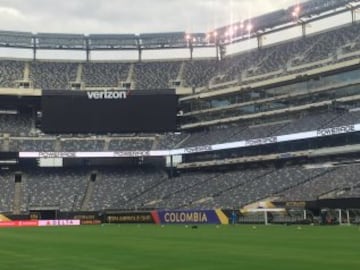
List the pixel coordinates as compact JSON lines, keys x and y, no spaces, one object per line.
{"x":283,"y":58}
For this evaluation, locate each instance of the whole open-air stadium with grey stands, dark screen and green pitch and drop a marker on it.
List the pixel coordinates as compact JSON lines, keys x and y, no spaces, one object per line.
{"x":260,"y":131}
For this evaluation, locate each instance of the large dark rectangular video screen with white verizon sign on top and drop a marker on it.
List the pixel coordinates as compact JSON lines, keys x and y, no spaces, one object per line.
{"x":108,"y":111}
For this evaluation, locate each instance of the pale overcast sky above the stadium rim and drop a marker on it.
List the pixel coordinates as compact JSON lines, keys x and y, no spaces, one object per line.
{"x":129,"y":16}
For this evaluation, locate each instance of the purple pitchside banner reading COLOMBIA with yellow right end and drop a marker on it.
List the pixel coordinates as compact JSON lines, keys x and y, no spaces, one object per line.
{"x":191,"y":217}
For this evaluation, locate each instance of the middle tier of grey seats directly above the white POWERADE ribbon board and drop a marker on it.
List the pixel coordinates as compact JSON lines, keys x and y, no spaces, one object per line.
{"x":25,"y":137}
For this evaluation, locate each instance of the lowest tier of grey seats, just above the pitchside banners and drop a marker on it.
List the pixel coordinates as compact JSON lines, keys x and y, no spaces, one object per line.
{"x":140,"y":188}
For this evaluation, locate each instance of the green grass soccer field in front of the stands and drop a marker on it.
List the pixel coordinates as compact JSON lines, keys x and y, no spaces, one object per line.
{"x":176,"y":247}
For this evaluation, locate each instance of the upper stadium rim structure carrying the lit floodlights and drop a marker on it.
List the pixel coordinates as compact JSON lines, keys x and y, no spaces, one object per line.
{"x":285,"y":17}
